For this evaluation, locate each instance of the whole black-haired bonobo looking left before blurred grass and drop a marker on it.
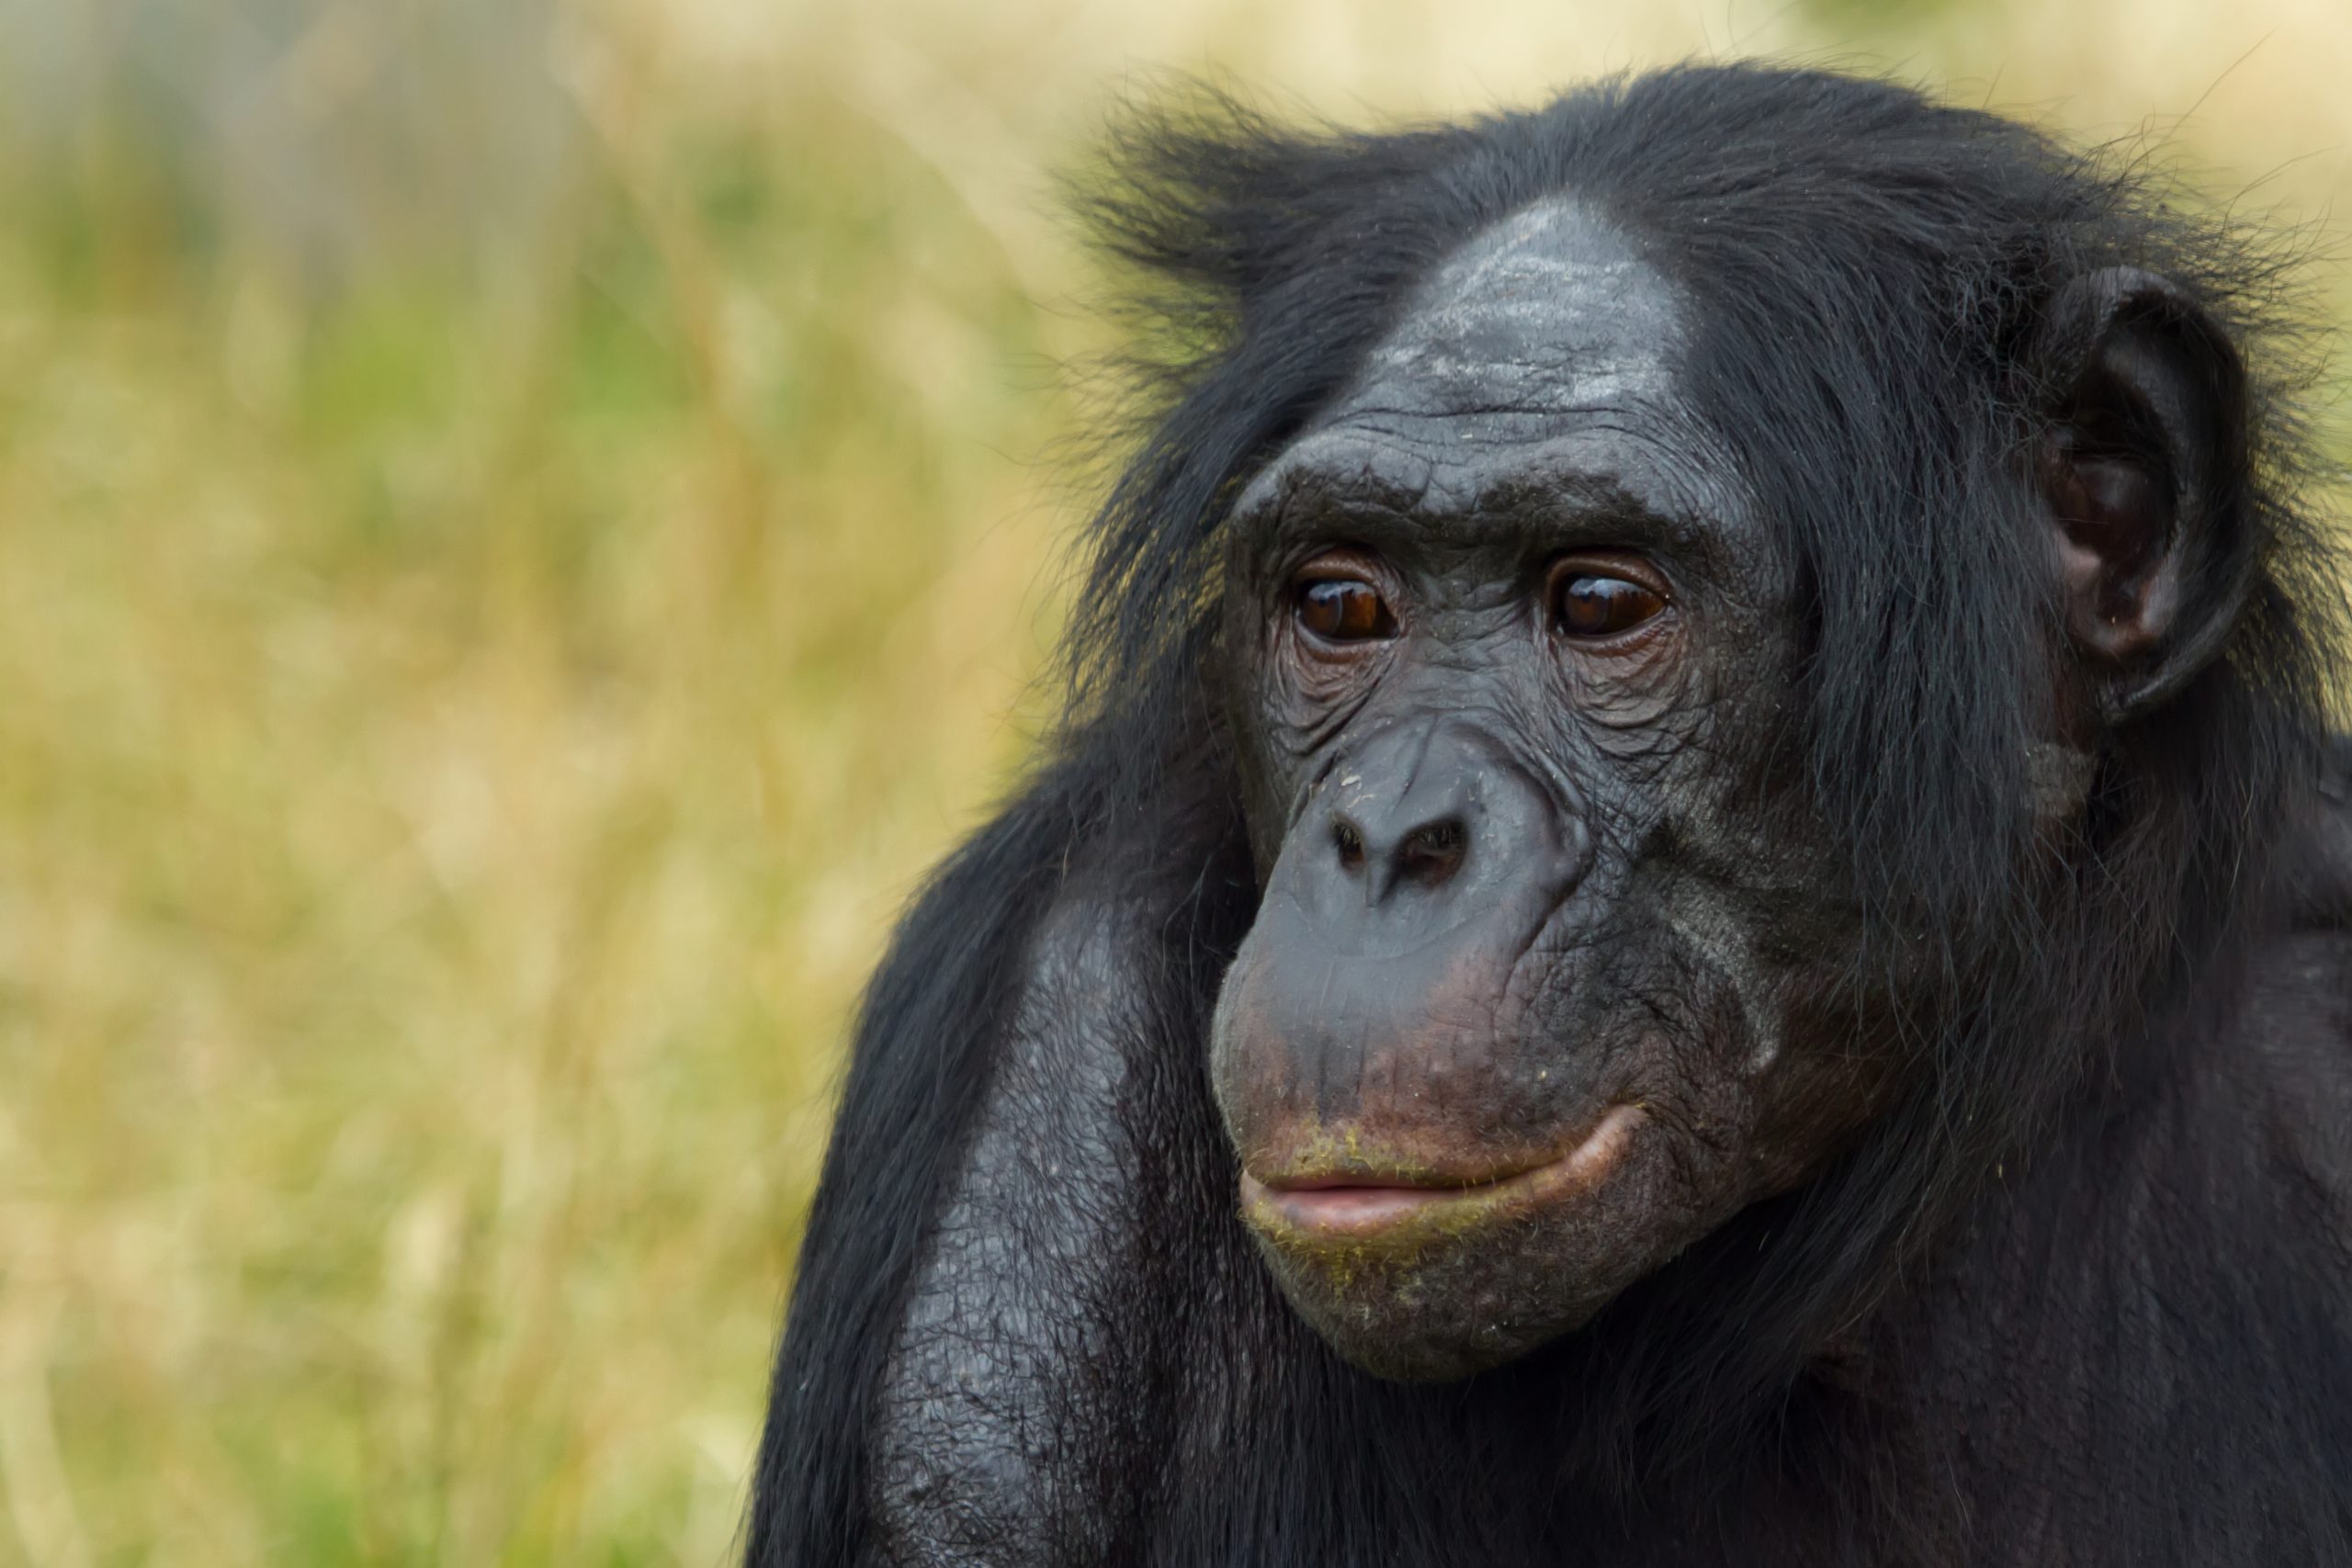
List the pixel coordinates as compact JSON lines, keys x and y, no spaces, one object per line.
{"x":1695,"y":904}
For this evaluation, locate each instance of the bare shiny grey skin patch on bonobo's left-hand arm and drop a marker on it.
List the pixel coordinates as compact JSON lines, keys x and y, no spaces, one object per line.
{"x":998,"y":1402}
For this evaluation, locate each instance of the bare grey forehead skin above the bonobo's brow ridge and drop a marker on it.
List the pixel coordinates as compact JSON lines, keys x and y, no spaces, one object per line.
{"x":1539,"y":354}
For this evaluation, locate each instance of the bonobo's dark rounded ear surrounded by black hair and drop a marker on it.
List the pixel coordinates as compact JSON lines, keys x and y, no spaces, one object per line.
{"x":2144,"y":462}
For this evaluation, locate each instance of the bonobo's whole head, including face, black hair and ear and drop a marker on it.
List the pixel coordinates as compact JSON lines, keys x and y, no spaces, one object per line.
{"x":1688,"y":650}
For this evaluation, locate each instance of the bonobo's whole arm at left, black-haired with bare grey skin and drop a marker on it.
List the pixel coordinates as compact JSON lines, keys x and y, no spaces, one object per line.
{"x":963,"y":1376}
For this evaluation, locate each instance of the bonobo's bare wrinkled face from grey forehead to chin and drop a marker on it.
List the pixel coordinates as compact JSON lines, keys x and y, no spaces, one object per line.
{"x":1535,"y":993}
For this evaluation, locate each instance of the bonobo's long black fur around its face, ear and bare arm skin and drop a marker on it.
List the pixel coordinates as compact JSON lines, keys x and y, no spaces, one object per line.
{"x":2083,"y":1299}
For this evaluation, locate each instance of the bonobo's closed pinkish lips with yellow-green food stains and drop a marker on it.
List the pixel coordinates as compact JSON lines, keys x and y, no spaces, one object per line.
{"x":1405,"y":1202}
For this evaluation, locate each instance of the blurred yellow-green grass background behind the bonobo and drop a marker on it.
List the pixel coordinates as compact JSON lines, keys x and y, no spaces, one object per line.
{"x":523,"y":530}
